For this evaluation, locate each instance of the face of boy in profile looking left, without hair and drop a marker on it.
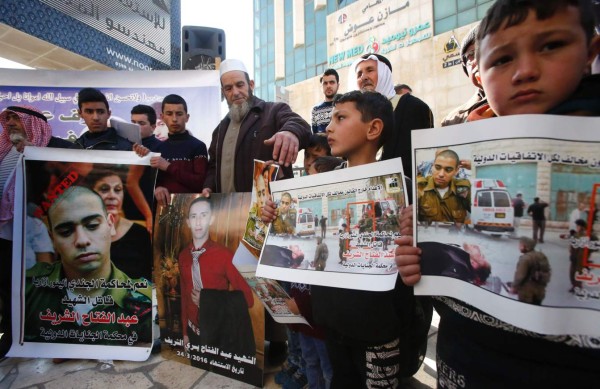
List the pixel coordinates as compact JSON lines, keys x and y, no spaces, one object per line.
{"x":346,"y":132}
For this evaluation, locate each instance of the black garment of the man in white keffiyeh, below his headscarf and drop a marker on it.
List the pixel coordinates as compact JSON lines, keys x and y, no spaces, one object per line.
{"x":411,"y":113}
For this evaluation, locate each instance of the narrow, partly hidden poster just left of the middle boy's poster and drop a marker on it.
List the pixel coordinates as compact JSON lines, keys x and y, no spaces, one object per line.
{"x":256,"y":230}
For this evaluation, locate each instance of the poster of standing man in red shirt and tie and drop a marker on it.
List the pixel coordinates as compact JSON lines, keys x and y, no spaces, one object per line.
{"x":208,"y":315}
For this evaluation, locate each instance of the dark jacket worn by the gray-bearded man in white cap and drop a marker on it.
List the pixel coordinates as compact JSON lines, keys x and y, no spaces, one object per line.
{"x":263,"y":121}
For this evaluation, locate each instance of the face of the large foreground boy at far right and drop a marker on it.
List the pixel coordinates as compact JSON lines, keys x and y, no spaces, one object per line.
{"x":536,"y":65}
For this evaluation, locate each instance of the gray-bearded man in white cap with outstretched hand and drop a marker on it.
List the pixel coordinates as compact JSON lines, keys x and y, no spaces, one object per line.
{"x":253,"y":129}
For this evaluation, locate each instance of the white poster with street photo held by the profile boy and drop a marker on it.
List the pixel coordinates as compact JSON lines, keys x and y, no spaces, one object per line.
{"x":341,"y":229}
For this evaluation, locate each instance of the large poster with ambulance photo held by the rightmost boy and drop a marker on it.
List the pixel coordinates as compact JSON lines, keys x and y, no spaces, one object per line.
{"x":509,"y":223}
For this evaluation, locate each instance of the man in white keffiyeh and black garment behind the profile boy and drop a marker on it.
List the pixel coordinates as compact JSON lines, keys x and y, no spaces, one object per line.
{"x":373,"y":72}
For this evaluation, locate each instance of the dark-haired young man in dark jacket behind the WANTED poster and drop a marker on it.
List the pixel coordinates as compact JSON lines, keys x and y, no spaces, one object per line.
{"x":94,"y":110}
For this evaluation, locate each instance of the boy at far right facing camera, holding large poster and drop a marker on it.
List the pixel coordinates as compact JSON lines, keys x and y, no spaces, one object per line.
{"x":533,"y":57}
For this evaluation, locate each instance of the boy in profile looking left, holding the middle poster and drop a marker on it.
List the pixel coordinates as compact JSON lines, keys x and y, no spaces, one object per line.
{"x":363,"y":328}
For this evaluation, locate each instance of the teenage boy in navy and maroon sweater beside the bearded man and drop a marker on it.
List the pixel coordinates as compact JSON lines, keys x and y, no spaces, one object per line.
{"x":184,"y":158}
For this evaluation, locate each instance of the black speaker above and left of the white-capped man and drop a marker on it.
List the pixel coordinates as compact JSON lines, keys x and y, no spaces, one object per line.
{"x":200,"y":47}
